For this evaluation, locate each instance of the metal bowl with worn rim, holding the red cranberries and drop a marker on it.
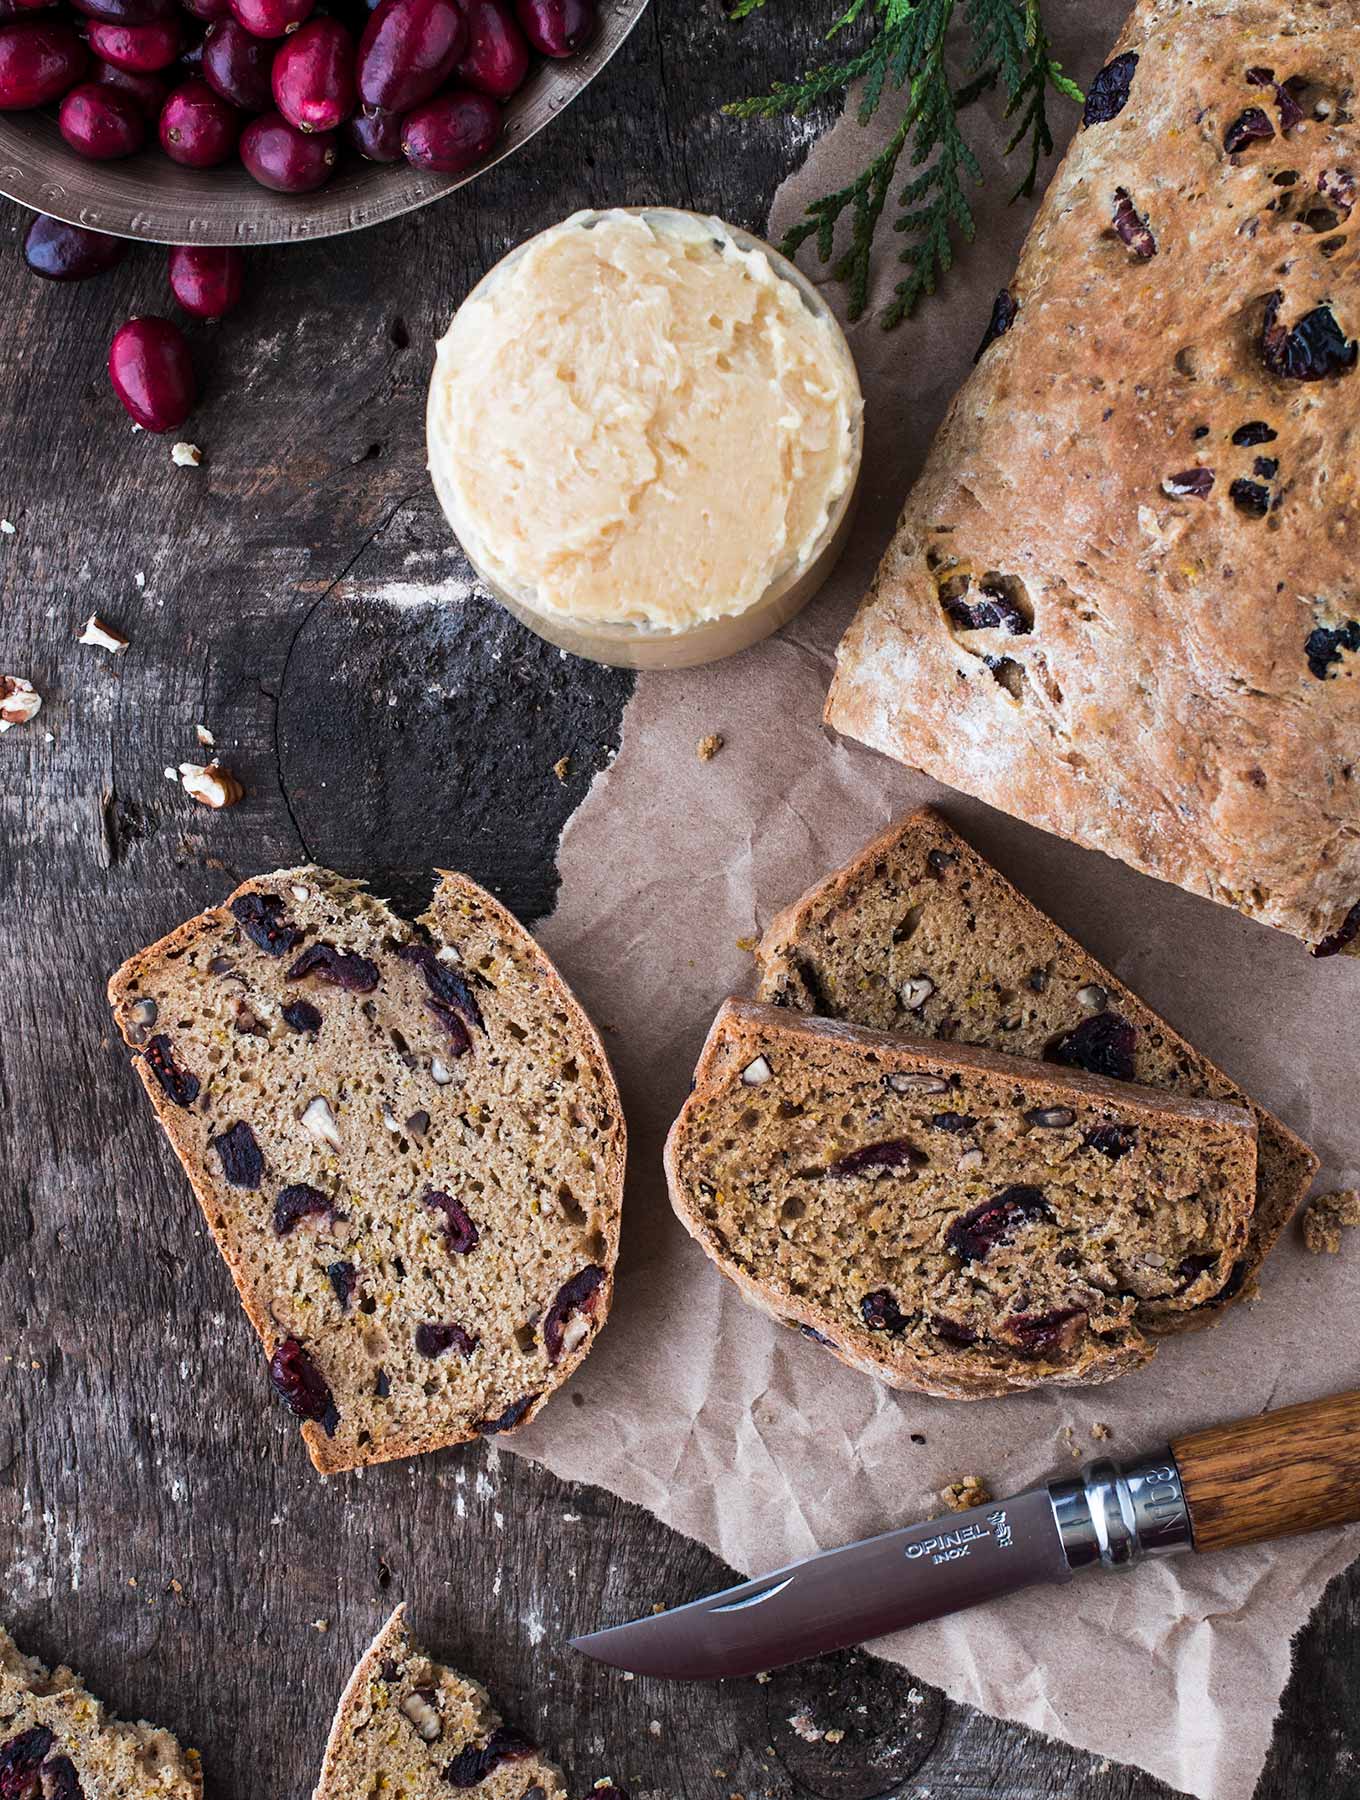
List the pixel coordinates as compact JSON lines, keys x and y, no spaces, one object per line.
{"x":159,"y":201}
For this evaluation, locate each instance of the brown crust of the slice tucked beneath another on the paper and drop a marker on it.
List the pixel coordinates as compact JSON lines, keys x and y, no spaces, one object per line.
{"x":1285,"y":1165}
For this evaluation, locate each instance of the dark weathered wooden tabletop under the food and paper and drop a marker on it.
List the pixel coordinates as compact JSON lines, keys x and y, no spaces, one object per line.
{"x":159,"y":1524}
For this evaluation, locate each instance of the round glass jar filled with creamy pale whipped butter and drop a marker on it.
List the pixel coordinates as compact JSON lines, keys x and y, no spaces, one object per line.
{"x":643,"y":426}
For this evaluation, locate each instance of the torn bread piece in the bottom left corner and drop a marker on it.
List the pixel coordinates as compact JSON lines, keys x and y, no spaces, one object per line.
{"x":60,"y":1743}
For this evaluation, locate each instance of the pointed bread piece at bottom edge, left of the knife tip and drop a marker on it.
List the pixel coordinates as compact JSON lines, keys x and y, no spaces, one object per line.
{"x":409,"y":1729}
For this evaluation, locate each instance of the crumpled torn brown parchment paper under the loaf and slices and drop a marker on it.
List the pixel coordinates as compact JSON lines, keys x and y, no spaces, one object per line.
{"x":749,"y":1437}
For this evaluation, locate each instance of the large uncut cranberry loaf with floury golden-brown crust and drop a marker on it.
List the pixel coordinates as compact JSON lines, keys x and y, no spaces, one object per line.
{"x":1122,"y":602}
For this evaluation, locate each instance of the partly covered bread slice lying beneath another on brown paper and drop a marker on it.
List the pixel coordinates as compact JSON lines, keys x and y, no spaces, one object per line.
{"x":920,"y":933}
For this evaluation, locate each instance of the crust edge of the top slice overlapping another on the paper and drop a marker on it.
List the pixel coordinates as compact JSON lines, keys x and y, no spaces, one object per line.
{"x":746,"y":1030}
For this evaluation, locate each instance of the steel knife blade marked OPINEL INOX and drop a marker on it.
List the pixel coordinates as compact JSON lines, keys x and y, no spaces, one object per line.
{"x":846,"y":1596}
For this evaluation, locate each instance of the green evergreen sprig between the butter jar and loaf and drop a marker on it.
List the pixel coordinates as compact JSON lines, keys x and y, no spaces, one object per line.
{"x":904,"y":49}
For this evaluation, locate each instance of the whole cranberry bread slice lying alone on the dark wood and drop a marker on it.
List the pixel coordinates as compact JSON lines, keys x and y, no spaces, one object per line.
{"x":407,"y":1144}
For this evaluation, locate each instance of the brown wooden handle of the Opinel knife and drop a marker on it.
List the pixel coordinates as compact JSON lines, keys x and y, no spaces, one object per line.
{"x":1275,"y":1475}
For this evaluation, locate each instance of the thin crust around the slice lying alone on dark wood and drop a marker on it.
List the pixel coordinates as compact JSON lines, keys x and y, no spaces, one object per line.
{"x":451,"y":892}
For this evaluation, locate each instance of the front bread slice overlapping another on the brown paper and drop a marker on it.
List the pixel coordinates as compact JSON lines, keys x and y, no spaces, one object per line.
{"x":947,"y":1218}
